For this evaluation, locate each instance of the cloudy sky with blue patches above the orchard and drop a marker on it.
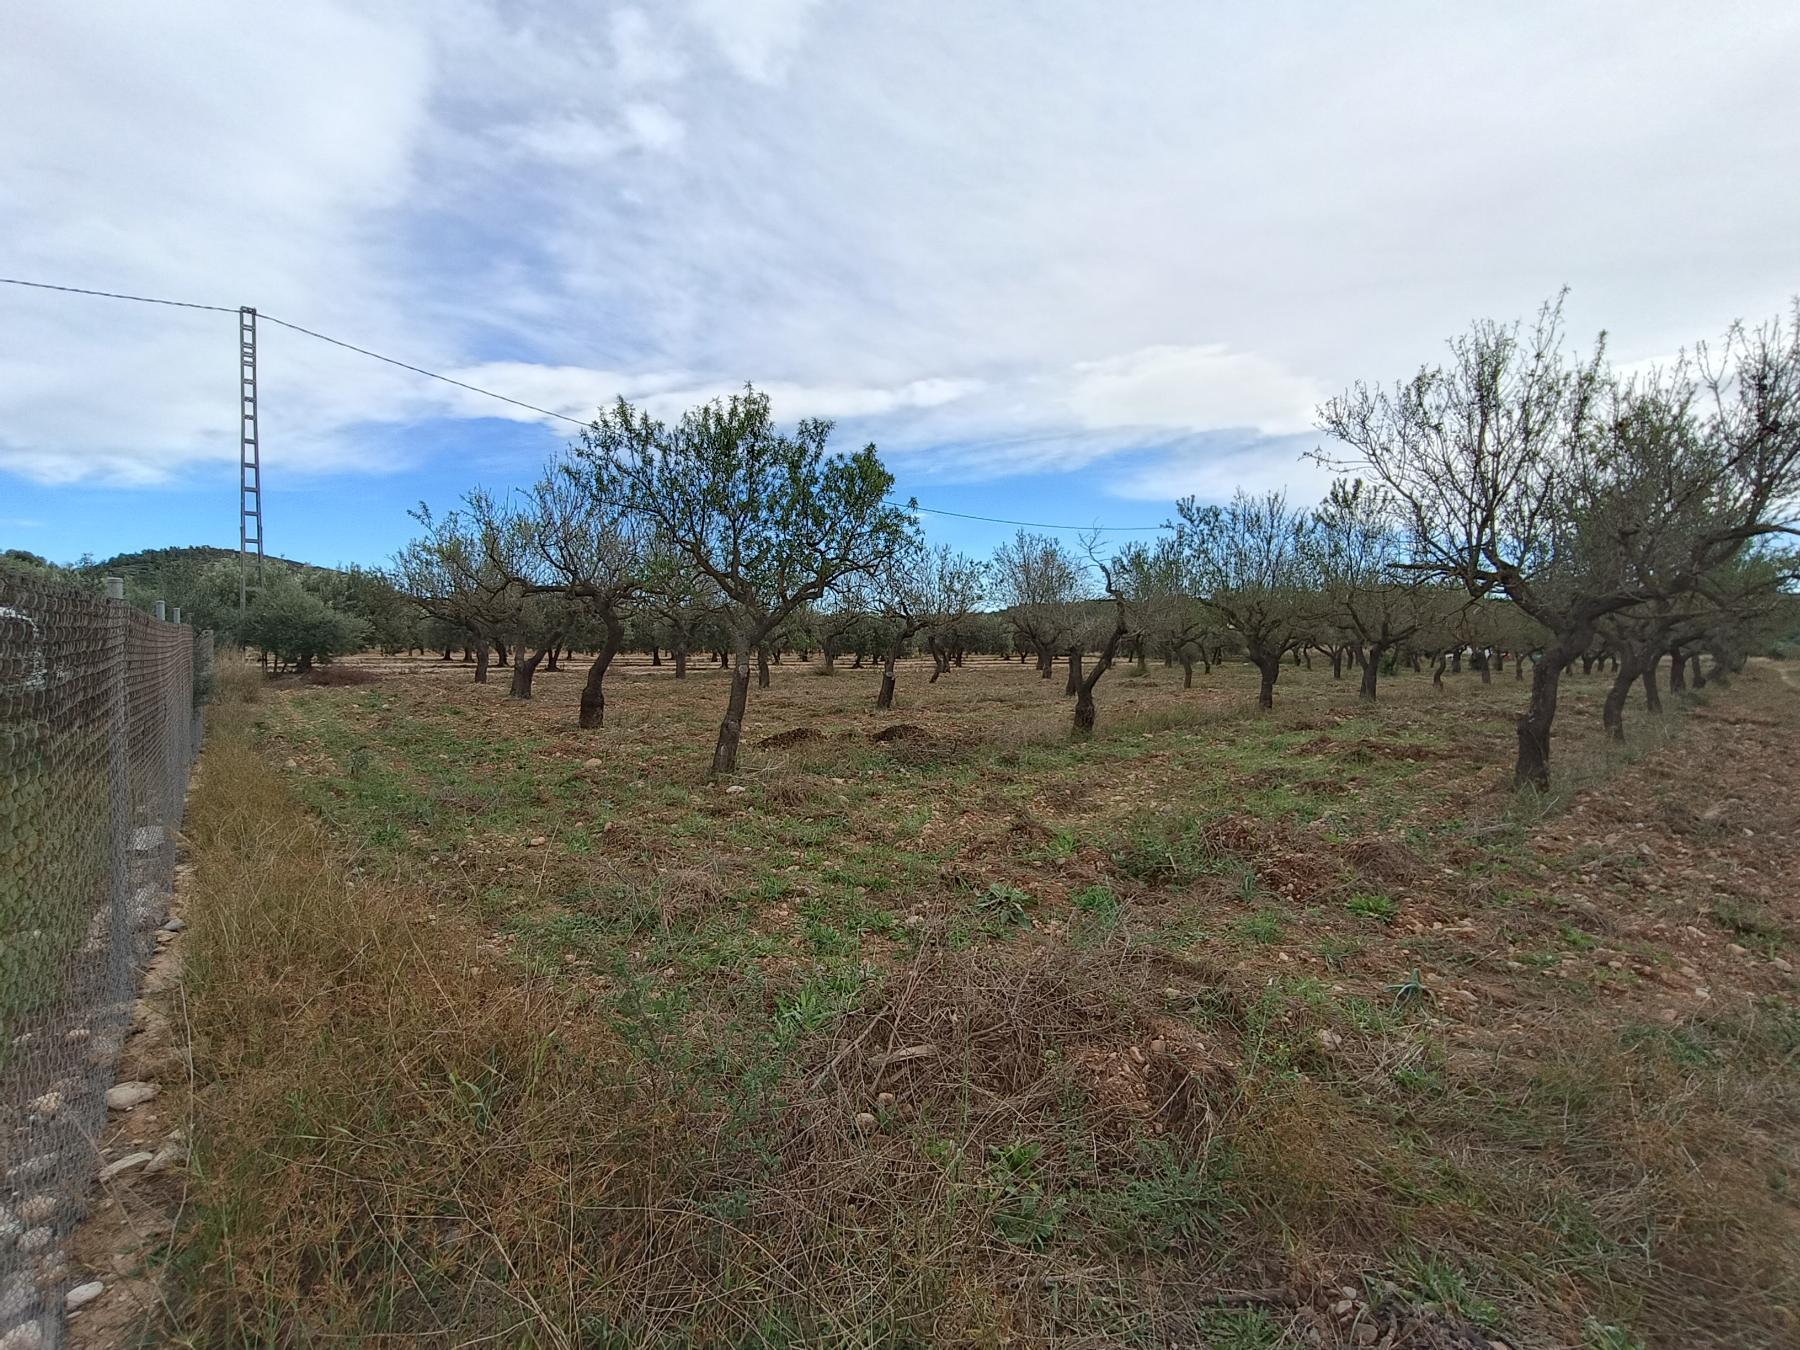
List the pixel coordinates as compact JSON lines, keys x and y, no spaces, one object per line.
{"x":1061,"y":262}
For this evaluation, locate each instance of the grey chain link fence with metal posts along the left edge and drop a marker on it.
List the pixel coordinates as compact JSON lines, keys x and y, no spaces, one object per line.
{"x":98,"y":730}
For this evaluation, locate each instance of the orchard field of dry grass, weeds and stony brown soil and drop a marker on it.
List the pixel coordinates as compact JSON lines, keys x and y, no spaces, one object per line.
{"x":940,"y":1029}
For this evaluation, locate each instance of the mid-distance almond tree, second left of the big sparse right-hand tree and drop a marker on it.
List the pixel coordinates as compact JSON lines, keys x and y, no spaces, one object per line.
{"x":1252,"y":566}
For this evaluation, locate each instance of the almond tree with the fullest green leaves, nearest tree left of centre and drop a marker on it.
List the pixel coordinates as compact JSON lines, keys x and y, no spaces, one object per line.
{"x":773,"y":521}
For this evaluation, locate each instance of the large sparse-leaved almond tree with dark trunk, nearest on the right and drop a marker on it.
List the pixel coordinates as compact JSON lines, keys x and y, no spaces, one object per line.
{"x":1574,"y":496}
